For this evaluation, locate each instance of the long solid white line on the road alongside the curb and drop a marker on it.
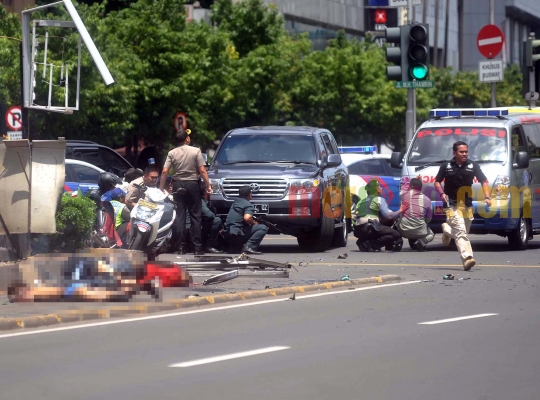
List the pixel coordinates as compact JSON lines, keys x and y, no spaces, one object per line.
{"x":203,"y":310}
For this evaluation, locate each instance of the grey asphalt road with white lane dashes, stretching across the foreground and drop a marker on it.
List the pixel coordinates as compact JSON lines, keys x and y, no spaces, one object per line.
{"x":363,"y":343}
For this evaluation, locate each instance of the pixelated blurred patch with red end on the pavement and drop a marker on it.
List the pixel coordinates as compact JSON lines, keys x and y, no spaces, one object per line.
{"x":93,"y":275}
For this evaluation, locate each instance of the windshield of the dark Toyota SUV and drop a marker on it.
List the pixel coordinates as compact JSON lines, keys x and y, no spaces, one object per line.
{"x":263,"y":148}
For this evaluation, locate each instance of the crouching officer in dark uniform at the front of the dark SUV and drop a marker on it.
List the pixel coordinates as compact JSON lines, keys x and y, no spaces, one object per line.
{"x":240,"y":228}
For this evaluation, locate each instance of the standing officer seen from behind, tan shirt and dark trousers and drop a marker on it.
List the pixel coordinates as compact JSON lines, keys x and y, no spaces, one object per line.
{"x":188,"y":165}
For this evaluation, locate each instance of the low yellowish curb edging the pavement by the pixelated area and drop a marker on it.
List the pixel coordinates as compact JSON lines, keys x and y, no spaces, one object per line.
{"x":139,"y":309}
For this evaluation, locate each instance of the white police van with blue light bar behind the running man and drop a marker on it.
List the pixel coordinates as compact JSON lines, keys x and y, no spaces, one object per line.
{"x":506,"y":144}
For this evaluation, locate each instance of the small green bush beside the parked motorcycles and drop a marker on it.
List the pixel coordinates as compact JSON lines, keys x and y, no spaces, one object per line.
{"x":74,"y":221}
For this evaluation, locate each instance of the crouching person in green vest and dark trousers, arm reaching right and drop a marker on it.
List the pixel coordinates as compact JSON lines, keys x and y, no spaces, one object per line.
{"x":371,"y":233}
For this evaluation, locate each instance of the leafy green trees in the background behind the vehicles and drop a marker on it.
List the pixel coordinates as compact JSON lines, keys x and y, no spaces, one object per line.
{"x":244,"y":70}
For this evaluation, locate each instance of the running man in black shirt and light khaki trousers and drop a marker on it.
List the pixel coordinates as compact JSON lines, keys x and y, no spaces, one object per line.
{"x":459,"y":173}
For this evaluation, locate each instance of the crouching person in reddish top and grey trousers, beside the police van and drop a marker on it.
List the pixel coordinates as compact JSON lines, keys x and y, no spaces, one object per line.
{"x":414,"y":222}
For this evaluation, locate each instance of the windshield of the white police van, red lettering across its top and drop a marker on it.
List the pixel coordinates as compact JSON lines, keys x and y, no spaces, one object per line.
{"x":435,"y":144}
